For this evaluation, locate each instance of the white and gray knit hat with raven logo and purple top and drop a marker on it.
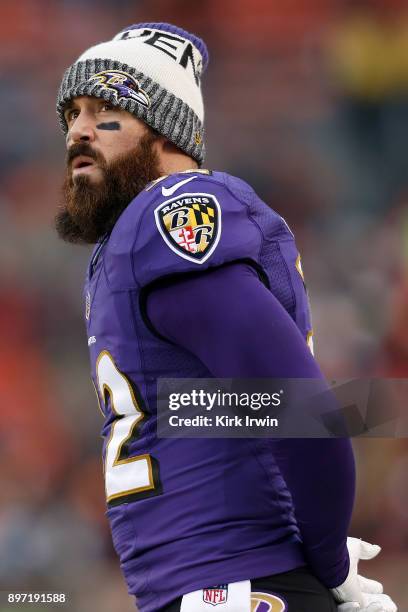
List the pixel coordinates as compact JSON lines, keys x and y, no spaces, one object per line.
{"x":152,"y":70}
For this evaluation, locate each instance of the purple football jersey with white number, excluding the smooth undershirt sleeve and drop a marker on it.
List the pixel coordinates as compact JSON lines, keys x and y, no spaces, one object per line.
{"x":185,"y":514}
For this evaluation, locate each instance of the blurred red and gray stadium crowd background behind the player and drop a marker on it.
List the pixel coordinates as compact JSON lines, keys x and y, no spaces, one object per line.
{"x":305,"y":99}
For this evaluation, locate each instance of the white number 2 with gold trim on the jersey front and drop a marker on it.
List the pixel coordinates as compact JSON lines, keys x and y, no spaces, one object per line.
{"x":126,"y":478}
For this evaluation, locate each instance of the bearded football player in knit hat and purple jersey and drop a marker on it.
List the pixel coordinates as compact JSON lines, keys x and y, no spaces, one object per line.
{"x":194,"y":276}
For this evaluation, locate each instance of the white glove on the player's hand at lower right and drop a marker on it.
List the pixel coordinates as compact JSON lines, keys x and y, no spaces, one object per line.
{"x":357,"y":592}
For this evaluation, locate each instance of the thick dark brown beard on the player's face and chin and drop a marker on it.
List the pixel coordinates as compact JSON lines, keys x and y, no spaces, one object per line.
{"x":90,"y":210}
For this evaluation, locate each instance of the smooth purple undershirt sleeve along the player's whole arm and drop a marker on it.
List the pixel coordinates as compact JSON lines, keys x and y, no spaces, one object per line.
{"x":237,"y":328}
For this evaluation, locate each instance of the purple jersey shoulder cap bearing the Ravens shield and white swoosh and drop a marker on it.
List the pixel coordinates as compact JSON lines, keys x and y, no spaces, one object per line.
{"x":187,"y":222}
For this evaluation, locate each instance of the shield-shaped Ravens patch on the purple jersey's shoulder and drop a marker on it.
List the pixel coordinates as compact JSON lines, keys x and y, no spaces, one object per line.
{"x":190,"y":225}
